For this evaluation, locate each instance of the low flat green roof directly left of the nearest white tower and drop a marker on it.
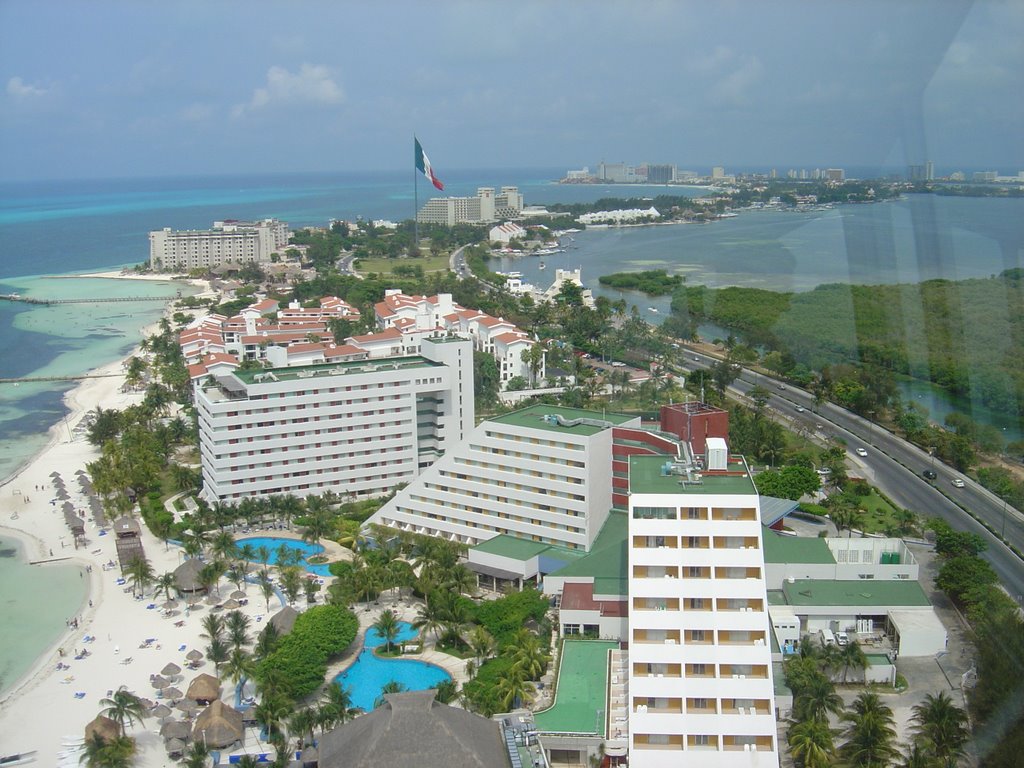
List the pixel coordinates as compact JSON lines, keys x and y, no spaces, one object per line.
{"x":582,"y":692}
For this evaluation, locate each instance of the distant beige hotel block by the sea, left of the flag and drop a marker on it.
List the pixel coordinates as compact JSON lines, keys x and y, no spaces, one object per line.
{"x":228,"y":242}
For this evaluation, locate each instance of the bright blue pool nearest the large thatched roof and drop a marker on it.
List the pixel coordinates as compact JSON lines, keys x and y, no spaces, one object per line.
{"x":369,"y":675}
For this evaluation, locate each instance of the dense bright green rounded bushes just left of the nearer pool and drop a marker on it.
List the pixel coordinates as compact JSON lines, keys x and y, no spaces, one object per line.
{"x":302,"y":657}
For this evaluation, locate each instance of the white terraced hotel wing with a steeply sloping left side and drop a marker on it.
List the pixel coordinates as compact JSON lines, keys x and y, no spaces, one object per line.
{"x":541,"y":475}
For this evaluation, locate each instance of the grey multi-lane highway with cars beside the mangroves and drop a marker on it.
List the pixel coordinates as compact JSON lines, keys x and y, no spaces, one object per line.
{"x":895,"y":466}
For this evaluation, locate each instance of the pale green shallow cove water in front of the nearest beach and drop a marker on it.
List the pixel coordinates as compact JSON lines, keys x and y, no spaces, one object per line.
{"x":47,"y":598}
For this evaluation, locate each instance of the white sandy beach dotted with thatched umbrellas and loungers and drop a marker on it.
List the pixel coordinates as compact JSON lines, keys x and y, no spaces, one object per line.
{"x":40,"y":711}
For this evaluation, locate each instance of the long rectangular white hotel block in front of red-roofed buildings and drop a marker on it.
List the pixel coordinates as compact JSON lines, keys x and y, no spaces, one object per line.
{"x":357,"y":429}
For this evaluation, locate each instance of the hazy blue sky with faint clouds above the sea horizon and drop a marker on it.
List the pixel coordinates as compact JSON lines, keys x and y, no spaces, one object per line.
{"x":119,"y":89}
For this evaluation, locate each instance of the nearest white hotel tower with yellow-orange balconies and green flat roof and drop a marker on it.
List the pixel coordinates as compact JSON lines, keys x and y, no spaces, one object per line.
{"x":701,"y":687}
